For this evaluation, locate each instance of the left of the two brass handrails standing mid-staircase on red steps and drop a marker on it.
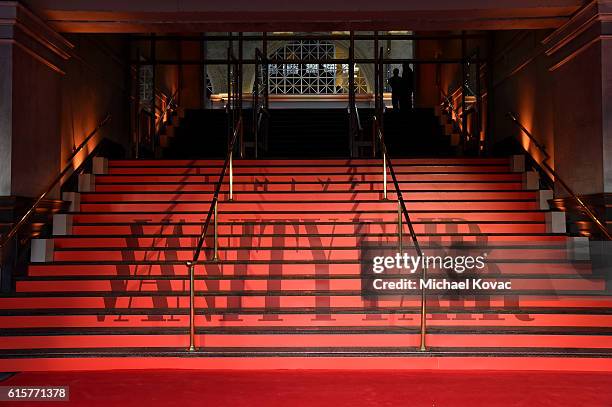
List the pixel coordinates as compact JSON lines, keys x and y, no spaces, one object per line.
{"x":213,"y":209}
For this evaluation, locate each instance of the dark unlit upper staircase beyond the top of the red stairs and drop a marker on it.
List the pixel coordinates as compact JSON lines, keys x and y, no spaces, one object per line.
{"x":310,"y":133}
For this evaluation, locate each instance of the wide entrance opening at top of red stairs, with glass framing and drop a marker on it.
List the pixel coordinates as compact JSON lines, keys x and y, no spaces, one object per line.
{"x":305,"y":95}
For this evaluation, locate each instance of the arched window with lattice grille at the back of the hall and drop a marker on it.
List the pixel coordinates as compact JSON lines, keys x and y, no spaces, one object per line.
{"x":311,"y":79}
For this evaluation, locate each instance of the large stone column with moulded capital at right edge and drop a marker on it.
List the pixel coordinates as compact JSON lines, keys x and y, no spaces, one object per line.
{"x":580,"y":54}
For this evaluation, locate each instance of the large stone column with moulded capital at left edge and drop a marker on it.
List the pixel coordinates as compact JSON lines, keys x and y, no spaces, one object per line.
{"x":31,"y":59}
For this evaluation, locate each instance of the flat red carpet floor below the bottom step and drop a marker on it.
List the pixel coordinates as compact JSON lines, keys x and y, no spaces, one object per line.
{"x":325,"y":388}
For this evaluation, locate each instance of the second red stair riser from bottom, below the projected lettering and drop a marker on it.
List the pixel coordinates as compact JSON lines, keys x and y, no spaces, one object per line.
{"x":205,"y":338}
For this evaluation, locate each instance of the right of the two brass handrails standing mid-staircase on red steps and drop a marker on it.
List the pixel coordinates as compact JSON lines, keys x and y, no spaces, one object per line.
{"x":402,"y":206}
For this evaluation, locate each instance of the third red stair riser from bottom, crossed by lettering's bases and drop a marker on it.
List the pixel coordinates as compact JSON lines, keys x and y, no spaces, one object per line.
{"x":410,"y":318}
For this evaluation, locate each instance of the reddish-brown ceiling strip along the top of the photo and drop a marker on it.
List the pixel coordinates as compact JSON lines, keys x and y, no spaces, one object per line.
{"x":184,"y":16}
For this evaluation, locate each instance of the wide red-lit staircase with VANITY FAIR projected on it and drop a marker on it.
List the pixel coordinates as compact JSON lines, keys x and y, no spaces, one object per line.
{"x":287,"y":290}
